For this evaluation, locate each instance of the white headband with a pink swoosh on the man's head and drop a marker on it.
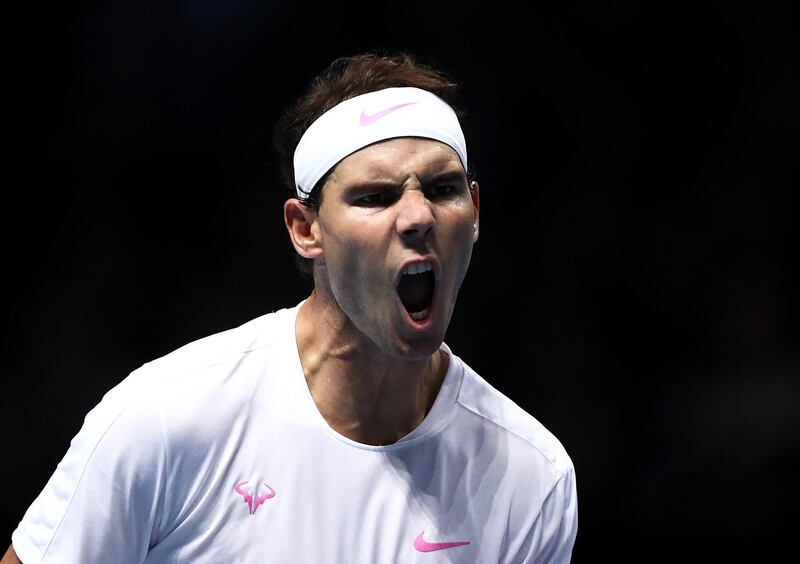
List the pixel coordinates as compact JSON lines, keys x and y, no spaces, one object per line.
{"x":369,"y":118}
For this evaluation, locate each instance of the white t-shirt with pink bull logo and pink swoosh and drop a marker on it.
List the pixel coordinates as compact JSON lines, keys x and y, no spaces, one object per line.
{"x":217,"y":453}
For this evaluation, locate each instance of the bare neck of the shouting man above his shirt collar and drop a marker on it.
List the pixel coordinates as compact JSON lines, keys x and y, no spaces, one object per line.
{"x":362,"y":393}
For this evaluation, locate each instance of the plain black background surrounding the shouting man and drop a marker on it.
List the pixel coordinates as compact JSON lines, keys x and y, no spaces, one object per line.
{"x":633,"y":286}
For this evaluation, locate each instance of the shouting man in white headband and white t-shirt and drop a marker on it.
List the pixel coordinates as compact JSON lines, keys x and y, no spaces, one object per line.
{"x":342,"y":430}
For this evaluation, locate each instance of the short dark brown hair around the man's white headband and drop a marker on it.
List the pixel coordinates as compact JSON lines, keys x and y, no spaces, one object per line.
{"x":346,"y":78}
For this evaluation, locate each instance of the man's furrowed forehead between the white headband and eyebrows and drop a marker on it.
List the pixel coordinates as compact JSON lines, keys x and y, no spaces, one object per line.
{"x":397,"y":159}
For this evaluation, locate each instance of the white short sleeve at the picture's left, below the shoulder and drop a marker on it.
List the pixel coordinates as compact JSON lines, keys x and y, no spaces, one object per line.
{"x":103,"y":502}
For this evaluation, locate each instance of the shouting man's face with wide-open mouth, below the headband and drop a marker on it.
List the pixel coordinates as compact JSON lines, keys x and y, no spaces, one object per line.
{"x":389,"y":210}
